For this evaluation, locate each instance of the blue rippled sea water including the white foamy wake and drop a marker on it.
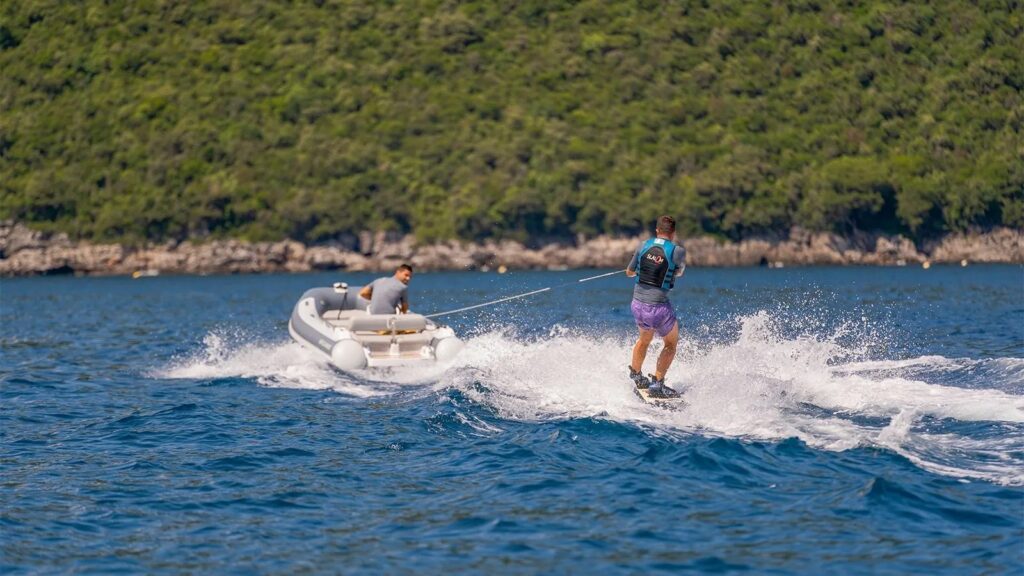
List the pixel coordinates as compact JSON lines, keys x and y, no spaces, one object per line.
{"x":842,"y":421}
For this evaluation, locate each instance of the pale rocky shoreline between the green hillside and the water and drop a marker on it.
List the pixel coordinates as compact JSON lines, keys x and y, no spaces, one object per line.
{"x":28,"y":253}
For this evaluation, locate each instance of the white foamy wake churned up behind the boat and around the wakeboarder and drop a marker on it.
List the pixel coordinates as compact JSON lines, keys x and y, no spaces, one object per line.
{"x":960,"y":418}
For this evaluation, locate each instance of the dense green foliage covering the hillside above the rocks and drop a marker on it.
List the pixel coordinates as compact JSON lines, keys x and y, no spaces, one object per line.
{"x":150,"y":119}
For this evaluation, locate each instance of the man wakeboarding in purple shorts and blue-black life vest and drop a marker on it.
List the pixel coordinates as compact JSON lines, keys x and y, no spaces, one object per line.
{"x":656,"y":265}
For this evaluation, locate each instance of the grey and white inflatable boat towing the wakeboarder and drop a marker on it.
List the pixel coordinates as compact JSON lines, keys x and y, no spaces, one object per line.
{"x":336,"y":323}
